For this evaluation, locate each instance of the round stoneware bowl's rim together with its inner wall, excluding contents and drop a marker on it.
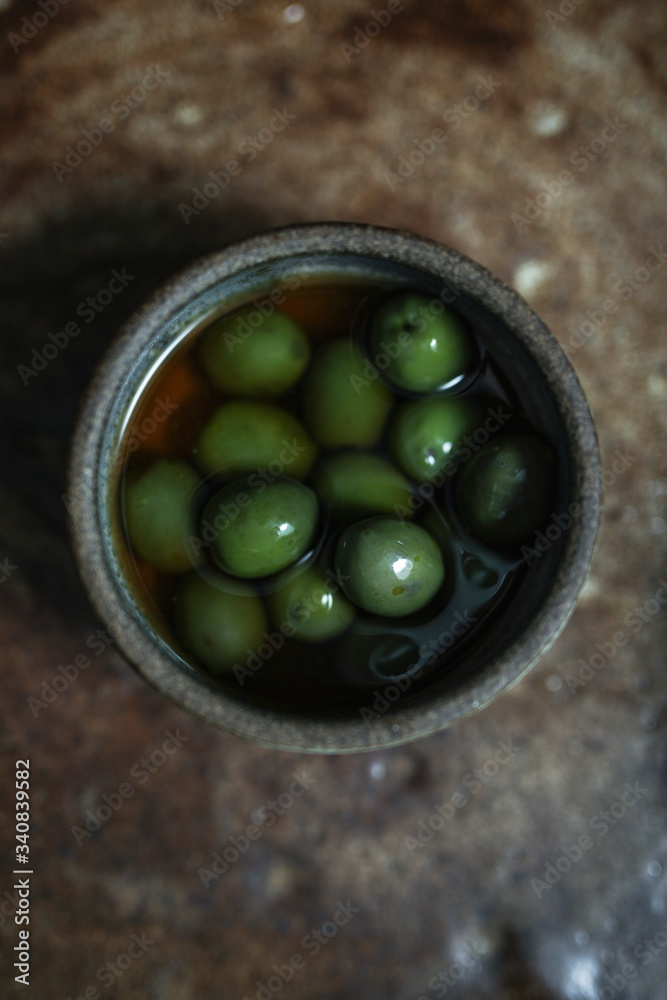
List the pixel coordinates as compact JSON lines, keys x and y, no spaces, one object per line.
{"x":487,"y":660}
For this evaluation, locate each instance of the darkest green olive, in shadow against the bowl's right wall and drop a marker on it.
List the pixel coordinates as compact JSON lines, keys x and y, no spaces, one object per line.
{"x":503,"y":491}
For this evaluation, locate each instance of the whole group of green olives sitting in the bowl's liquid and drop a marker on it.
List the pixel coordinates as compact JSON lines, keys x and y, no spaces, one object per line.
{"x":301,"y":525}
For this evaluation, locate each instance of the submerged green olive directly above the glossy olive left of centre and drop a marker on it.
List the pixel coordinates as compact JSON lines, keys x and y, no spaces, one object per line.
{"x":244,"y":436}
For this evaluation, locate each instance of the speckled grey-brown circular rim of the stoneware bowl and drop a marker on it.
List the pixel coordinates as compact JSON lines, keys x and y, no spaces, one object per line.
{"x":88,"y":477}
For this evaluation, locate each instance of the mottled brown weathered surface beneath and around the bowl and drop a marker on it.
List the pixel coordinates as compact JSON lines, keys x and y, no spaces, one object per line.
{"x":552,"y":83}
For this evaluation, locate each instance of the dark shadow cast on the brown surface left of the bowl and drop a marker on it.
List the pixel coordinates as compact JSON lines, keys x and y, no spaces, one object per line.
{"x":56,"y":275}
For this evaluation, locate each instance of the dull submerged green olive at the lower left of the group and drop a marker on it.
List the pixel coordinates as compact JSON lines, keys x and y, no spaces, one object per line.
{"x":221,"y":629}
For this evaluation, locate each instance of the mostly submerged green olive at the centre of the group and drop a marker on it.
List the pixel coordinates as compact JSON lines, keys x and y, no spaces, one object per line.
{"x":359,"y":483}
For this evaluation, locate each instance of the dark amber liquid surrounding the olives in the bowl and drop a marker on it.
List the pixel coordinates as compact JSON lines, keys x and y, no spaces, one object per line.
{"x":338,"y":675}
